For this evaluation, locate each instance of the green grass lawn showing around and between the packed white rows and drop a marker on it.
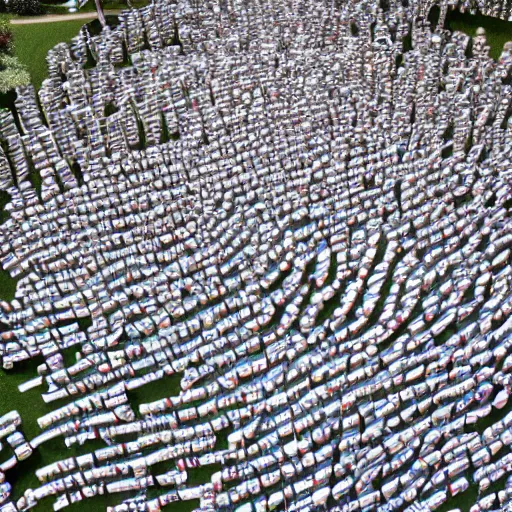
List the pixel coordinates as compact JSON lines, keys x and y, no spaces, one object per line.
{"x":32,"y":44}
